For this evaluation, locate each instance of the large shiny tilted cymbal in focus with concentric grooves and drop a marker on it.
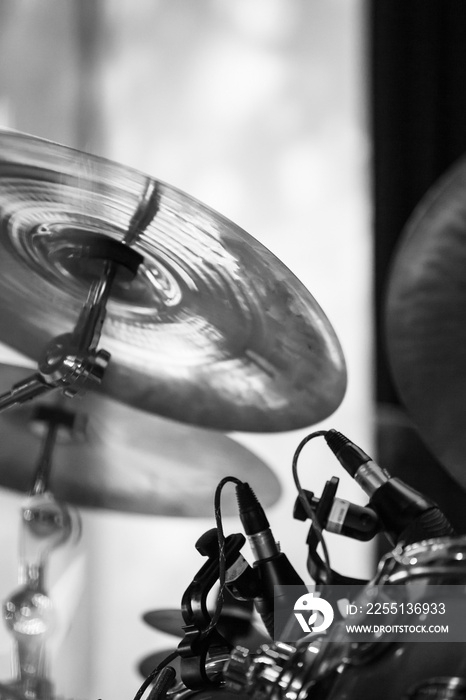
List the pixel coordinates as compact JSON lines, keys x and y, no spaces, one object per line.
{"x":213,"y":331}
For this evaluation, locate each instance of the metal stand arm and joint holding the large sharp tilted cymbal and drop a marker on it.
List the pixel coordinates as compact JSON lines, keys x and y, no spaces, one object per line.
{"x":71,"y":361}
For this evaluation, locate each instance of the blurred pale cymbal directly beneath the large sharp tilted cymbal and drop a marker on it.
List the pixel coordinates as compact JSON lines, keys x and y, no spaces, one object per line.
{"x":128,"y":460}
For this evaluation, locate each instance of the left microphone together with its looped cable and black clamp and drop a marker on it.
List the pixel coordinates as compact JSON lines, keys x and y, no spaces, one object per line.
{"x":202,"y":640}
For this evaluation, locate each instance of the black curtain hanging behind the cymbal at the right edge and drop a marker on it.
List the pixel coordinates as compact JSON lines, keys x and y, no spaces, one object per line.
{"x":418,"y":122}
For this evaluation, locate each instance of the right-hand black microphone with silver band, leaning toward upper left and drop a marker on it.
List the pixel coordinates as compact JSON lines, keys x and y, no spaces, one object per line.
{"x":405,"y":514}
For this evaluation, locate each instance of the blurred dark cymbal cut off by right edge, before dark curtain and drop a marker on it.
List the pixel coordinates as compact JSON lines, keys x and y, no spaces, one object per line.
{"x":425,"y":320}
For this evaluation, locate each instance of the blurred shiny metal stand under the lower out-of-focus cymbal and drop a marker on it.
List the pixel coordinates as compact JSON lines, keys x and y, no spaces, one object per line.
{"x":46,"y":524}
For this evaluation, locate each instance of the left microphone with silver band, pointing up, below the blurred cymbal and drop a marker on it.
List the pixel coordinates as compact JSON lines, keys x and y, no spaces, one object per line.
{"x":274,"y":569}
